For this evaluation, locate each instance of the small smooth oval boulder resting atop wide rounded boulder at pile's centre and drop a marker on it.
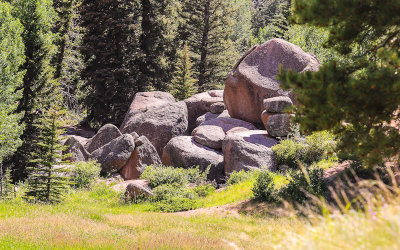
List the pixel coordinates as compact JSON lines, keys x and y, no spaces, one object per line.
{"x":210,"y":136}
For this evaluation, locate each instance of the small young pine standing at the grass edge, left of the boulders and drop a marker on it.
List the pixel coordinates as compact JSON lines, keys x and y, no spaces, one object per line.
{"x":47,"y":181}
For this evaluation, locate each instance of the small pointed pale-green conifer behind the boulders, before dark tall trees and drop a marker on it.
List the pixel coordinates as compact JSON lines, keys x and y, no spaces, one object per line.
{"x":183,"y":84}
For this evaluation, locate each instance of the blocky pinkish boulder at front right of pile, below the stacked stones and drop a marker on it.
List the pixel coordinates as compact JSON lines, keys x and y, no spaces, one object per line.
{"x":246,"y":150}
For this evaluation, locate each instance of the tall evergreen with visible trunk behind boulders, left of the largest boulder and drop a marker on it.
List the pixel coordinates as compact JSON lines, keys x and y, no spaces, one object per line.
{"x":208,"y":26}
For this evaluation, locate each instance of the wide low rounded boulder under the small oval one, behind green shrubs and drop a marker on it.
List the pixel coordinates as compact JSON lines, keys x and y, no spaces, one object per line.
{"x":185,"y":152}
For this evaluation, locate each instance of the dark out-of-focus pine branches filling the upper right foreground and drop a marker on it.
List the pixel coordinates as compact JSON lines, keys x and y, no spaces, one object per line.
{"x":358,"y":100}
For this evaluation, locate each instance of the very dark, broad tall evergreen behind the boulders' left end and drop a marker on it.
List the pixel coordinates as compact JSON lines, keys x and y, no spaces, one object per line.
{"x":109,"y":47}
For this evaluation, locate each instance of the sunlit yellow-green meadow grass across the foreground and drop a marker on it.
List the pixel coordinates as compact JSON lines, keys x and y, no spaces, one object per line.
{"x":97,"y":219}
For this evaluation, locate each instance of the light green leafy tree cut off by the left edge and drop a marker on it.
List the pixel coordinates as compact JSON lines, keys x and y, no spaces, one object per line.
{"x":11,"y":76}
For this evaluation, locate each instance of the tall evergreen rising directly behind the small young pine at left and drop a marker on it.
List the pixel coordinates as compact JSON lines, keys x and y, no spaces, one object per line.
{"x":39,"y":87}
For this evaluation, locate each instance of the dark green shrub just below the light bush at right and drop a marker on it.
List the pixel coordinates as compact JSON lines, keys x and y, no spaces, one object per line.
{"x":303,"y":182}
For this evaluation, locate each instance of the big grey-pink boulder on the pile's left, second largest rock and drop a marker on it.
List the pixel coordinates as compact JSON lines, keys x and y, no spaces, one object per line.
{"x":159,"y":120}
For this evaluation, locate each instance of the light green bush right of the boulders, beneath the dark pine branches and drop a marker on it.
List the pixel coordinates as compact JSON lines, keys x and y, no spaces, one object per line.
{"x":314,"y":148}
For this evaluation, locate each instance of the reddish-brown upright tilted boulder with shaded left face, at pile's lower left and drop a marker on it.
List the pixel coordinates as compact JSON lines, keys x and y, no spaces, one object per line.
{"x":144,"y":155}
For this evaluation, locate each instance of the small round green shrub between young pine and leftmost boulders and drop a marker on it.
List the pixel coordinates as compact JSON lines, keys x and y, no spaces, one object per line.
{"x":85,"y":173}
